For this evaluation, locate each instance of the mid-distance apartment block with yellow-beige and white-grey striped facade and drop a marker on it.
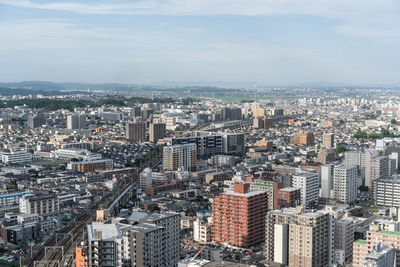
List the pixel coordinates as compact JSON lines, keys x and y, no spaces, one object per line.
{"x":180,"y":157}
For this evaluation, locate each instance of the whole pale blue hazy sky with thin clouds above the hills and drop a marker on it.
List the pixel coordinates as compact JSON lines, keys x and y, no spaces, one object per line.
{"x":145,"y":41}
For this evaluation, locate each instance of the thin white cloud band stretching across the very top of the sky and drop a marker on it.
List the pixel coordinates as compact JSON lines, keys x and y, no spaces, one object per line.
{"x":354,"y":17}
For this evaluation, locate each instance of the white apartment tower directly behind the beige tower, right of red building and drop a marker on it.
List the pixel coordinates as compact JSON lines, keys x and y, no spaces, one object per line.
{"x":309,"y":185}
